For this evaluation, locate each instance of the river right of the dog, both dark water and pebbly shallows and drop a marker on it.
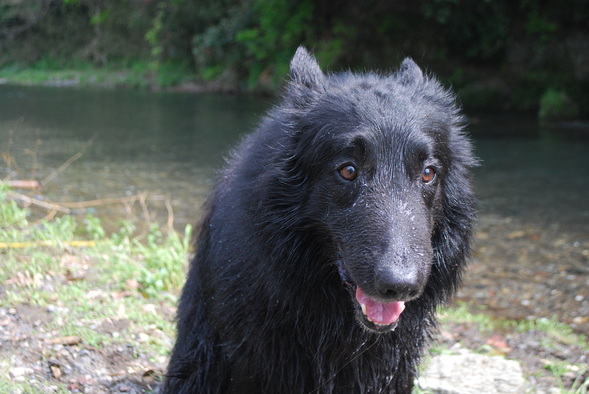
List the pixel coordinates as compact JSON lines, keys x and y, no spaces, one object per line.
{"x":532,"y":244}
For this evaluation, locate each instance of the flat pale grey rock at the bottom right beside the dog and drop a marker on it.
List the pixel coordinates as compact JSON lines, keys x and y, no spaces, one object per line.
{"x":470,"y":373}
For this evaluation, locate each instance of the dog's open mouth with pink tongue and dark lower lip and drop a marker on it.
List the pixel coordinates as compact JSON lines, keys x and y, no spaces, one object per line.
{"x":375,"y":315}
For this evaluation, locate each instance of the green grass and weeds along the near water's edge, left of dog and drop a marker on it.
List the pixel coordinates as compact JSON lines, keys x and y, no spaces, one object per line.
{"x":157,"y":260}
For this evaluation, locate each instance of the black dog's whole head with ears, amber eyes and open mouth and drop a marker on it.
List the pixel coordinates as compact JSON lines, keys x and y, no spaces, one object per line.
{"x":385,"y":164}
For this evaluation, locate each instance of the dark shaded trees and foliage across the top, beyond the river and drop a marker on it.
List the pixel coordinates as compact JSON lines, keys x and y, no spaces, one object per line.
{"x":524,"y":55}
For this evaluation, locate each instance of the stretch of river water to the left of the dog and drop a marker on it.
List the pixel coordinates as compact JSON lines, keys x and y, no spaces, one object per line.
{"x":160,"y":143}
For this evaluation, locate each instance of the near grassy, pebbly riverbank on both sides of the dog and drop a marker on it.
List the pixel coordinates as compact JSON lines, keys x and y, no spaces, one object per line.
{"x":97,"y":315}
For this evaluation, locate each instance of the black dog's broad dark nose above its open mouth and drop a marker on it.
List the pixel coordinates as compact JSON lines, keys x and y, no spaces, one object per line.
{"x":395,"y":286}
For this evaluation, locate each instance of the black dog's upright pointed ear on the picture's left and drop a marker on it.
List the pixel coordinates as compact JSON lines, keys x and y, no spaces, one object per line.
{"x":305,"y":73}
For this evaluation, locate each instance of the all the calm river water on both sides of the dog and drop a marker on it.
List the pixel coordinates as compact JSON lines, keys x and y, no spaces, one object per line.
{"x":531,"y":255}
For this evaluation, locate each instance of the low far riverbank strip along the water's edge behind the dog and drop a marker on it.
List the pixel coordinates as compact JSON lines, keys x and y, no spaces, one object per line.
{"x":485,"y":94}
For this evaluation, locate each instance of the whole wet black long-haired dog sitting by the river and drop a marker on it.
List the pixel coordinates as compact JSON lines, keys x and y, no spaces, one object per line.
{"x":333,"y":234}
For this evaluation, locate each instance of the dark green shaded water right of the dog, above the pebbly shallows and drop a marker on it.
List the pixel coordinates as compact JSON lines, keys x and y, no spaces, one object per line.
{"x":532,"y":173}
